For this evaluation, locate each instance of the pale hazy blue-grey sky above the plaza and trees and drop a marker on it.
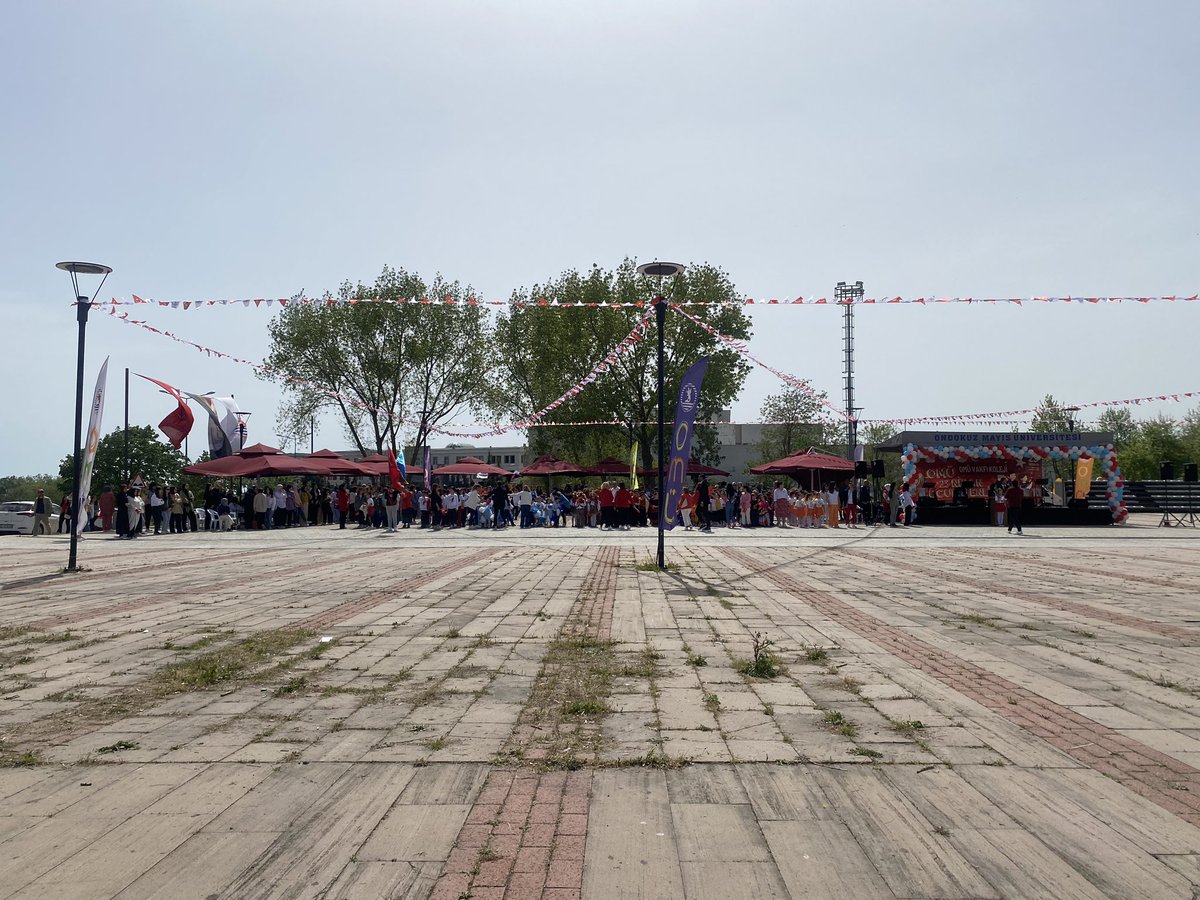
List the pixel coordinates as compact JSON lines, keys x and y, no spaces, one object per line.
{"x":243,"y":149}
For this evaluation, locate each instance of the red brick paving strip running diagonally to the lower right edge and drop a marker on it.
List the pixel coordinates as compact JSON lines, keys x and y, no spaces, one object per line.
{"x":1162,"y":779}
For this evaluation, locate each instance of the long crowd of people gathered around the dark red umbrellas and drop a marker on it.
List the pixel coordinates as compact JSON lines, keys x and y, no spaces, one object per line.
{"x":140,"y":509}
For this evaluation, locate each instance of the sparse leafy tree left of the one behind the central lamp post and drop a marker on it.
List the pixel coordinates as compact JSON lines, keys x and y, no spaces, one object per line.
{"x":422,"y":362}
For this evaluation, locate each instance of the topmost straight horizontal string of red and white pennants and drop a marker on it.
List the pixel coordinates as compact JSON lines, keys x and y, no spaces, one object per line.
{"x":646,"y":304}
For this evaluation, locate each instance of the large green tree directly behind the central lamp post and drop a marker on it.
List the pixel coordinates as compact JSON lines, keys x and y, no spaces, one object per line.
{"x":543,"y":352}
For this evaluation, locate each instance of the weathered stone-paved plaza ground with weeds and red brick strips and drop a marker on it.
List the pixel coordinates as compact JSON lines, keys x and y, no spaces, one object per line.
{"x":314,"y":713}
